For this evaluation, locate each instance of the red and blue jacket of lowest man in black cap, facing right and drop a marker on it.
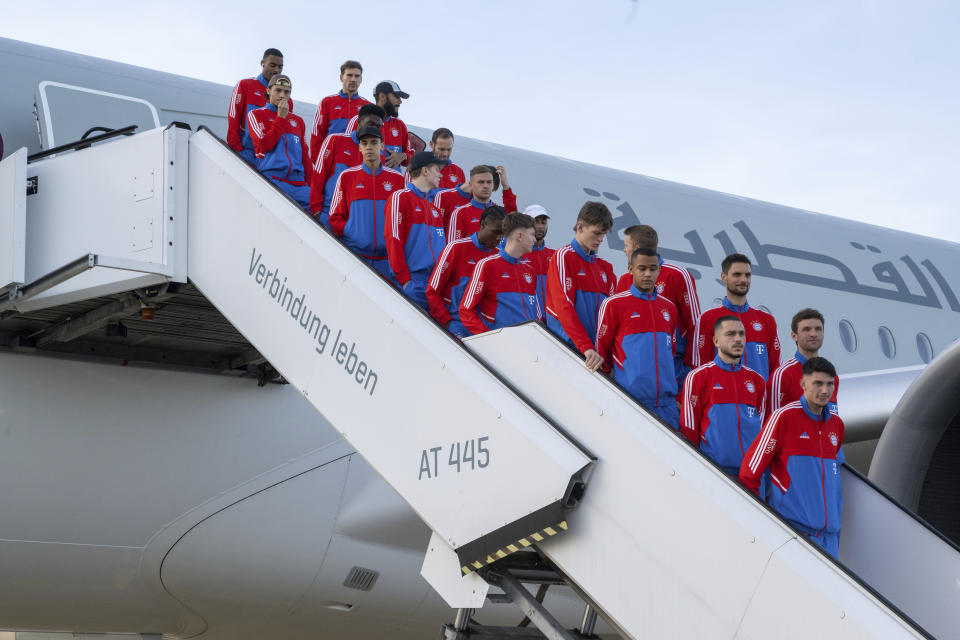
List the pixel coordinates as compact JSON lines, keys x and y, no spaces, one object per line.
{"x":414,"y":234}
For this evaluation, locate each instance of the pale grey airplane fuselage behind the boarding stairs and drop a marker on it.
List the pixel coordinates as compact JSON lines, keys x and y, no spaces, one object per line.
{"x":145,"y":498}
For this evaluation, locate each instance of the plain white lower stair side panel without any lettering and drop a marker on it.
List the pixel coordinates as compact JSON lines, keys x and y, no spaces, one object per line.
{"x":668,"y":545}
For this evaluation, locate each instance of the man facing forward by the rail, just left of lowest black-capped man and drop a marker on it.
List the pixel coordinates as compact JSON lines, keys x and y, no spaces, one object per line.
{"x":359,"y":198}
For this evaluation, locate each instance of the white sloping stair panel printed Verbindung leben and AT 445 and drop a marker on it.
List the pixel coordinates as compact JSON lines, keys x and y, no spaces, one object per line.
{"x":397,"y":387}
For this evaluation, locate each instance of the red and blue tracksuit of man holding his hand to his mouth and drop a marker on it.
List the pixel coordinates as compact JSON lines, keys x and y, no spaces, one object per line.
{"x":280,"y":145}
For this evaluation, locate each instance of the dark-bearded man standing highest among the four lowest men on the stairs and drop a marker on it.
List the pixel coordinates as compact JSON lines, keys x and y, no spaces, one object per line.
{"x":763,"y":347}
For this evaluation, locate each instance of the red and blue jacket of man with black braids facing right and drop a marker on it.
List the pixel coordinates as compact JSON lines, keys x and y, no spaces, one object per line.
{"x":451,"y":276}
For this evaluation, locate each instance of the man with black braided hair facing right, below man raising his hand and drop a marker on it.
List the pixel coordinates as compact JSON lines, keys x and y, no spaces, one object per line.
{"x":455,"y":268}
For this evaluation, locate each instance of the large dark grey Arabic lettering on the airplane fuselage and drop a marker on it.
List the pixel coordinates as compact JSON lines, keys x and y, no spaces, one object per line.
{"x":892,"y":285}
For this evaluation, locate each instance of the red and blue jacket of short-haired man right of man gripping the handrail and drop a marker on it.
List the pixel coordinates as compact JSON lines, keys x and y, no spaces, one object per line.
{"x":636,"y":337}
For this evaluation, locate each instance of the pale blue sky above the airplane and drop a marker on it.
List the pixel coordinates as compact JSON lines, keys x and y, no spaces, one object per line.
{"x":847,"y":108}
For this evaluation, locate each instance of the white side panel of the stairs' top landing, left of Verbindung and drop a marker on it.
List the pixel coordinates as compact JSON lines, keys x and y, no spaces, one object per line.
{"x":124,"y":201}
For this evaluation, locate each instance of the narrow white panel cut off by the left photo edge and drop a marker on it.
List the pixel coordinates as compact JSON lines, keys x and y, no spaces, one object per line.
{"x":13,"y":217}
